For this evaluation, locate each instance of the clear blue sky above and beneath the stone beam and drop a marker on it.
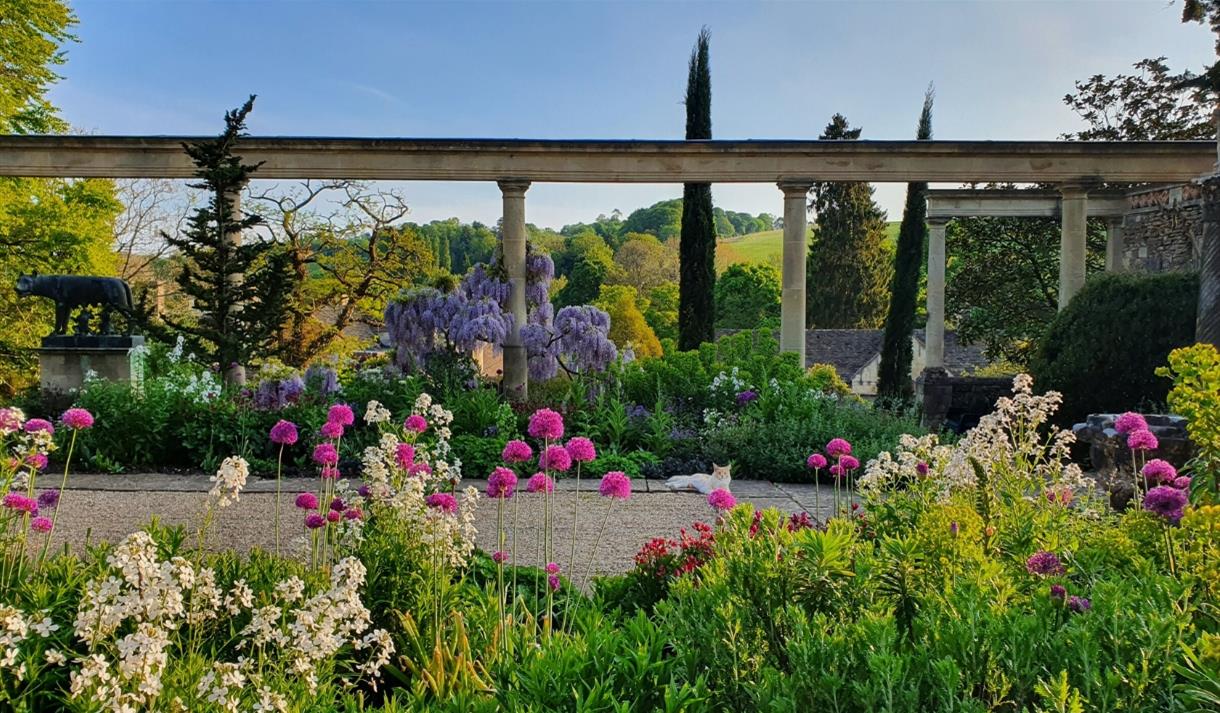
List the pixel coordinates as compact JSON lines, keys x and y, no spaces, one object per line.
{"x":602,"y":70}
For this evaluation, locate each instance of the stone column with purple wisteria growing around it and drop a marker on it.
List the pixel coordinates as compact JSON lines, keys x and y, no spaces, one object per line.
{"x":517,"y":374}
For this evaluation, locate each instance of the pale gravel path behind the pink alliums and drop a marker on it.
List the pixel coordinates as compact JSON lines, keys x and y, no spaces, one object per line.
{"x":108,"y":509}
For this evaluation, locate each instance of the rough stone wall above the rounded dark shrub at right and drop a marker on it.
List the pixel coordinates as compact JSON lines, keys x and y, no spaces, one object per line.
{"x":1162,"y":230}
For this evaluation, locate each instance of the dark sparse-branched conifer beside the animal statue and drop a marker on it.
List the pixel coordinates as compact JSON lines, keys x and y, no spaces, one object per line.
{"x":240,"y":289}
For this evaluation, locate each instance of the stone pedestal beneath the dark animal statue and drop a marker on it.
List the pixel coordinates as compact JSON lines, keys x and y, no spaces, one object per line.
{"x":65,"y":361}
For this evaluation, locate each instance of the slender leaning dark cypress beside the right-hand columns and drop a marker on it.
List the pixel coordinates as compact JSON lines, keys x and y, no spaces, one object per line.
{"x":895,"y":380}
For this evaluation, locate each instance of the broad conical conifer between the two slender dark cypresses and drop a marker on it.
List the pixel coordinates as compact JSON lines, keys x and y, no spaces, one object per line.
{"x":849,"y":273}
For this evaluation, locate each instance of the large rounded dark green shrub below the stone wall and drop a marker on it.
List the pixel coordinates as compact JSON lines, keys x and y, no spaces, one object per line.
{"x":1103,"y":350}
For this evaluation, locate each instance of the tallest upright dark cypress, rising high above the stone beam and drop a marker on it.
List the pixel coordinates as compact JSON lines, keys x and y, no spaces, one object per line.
{"x":697,"y":246}
